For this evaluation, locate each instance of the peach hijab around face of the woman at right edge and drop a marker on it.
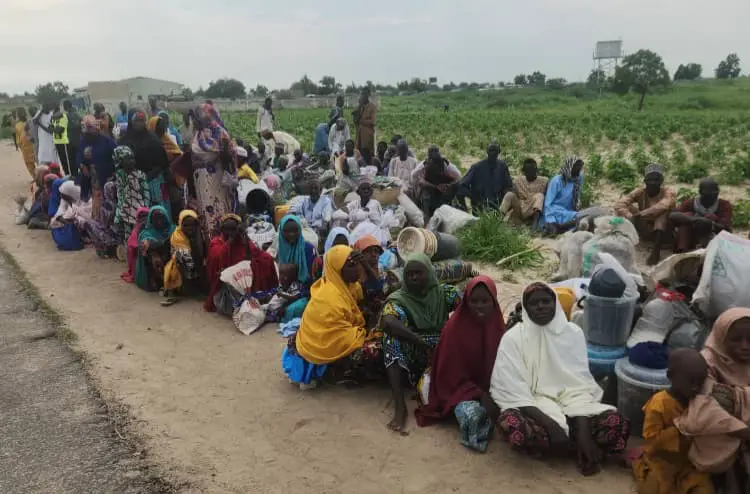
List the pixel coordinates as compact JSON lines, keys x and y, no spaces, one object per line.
{"x":724,"y":369}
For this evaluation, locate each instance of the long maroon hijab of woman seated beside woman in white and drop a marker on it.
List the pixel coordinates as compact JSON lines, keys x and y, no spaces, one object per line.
{"x":464,"y":357}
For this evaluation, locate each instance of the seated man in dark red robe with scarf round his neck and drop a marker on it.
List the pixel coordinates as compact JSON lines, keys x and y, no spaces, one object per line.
{"x":699,"y":218}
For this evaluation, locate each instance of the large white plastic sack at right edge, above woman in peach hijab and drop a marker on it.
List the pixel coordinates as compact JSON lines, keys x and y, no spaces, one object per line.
{"x":723,"y":283}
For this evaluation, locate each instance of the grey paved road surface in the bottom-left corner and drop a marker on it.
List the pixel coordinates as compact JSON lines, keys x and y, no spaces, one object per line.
{"x":55,"y":429}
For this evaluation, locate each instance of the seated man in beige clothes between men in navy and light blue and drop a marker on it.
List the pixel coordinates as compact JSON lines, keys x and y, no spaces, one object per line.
{"x":526,"y":201}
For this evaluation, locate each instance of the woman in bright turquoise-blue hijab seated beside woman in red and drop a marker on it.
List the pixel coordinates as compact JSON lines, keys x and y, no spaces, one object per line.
{"x":294,"y":249}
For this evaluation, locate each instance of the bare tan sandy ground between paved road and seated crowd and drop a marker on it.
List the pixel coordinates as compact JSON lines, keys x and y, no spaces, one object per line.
{"x":216,"y":410}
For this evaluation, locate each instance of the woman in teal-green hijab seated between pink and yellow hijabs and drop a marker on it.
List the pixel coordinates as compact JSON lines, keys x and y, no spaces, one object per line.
{"x":153,"y":250}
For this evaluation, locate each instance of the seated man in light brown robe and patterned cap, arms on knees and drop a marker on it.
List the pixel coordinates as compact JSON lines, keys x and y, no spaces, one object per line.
{"x":648,"y":208}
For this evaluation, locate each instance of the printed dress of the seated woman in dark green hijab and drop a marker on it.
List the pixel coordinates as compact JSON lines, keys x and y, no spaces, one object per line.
{"x":412,"y":359}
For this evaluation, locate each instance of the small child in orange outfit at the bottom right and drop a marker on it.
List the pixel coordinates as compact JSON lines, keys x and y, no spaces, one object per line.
{"x":664,"y":467}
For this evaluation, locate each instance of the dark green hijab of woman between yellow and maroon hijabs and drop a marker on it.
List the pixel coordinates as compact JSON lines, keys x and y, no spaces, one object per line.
{"x":429,"y":311}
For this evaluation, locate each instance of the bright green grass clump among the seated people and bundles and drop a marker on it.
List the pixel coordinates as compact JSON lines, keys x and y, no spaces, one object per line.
{"x":491,"y":239}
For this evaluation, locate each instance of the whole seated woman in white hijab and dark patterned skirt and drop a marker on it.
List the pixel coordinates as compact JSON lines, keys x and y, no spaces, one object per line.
{"x":549,"y":399}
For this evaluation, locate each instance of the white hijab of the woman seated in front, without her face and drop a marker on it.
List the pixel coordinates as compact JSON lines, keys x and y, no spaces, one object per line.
{"x":546,"y":366}
